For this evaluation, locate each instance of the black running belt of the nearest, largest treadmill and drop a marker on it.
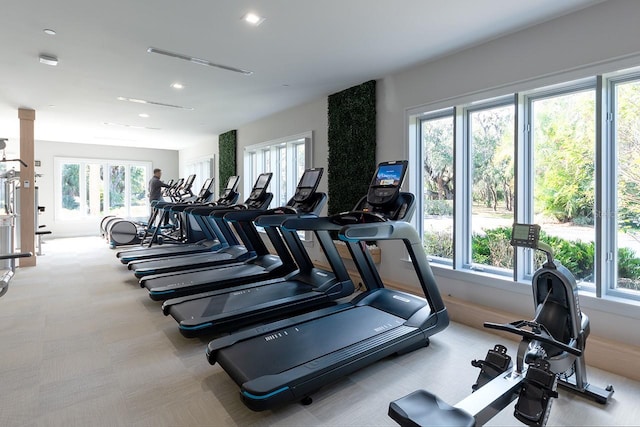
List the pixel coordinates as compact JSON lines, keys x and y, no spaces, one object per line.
{"x":302,"y":343}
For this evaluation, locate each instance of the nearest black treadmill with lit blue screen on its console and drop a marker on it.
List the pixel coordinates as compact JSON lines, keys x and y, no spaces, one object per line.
{"x":287,"y":360}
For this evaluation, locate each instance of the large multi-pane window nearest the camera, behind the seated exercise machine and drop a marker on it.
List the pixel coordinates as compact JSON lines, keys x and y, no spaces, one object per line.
{"x":566,"y":157}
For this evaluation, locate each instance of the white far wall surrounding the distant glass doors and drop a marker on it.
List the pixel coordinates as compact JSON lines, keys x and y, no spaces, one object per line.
{"x":45,"y":151}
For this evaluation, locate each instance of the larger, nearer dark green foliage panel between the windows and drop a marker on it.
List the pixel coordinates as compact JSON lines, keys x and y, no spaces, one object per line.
{"x":352,"y":145}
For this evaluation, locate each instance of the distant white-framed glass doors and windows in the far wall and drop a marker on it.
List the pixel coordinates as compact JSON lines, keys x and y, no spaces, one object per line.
{"x":95,"y":188}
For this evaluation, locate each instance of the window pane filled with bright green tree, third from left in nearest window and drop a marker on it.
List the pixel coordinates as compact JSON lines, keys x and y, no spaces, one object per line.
{"x":563,"y":140}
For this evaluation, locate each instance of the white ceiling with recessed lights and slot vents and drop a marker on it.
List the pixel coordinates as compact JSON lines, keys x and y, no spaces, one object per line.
{"x":304,"y":49}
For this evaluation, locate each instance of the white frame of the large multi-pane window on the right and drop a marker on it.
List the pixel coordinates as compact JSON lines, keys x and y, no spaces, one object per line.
{"x":605,"y":219}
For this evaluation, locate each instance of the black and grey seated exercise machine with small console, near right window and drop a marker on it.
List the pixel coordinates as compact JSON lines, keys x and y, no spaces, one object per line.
{"x":551,"y":353}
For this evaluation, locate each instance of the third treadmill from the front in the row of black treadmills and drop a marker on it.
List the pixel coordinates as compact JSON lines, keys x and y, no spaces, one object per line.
{"x":263,"y":267}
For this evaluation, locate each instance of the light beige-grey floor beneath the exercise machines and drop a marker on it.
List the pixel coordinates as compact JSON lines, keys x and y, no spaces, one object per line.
{"x":82,"y":345}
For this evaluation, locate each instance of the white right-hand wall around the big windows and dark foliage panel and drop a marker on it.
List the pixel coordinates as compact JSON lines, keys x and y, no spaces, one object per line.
{"x":594,"y":40}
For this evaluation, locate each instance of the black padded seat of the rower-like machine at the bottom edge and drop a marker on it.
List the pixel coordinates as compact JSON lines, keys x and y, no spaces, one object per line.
{"x":422,"y":408}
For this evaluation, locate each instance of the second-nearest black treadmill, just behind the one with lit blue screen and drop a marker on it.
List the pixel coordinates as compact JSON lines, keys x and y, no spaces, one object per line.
{"x":308,"y":287}
